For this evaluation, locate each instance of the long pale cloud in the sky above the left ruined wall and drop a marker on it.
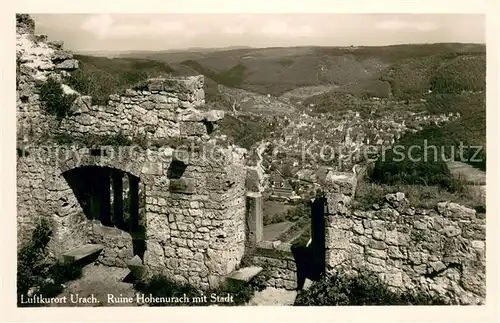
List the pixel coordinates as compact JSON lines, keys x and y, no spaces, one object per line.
{"x":104,"y":26}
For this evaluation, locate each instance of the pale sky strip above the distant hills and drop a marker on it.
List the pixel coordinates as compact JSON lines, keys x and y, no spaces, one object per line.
{"x":122,"y":32}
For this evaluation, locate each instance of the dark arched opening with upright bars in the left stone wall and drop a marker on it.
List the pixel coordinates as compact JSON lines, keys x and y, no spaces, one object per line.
{"x":111,"y":197}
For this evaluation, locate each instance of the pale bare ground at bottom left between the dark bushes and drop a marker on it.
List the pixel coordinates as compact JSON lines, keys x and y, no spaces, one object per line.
{"x":99,"y":281}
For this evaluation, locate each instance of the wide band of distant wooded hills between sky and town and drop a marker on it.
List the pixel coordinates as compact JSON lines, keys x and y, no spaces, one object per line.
{"x":403,"y":71}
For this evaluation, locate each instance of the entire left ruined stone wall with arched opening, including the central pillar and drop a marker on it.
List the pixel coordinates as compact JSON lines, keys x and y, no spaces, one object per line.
{"x":195,"y":224}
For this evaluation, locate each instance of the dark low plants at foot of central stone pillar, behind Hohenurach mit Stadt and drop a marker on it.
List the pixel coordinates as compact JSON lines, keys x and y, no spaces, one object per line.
{"x":161,"y":286}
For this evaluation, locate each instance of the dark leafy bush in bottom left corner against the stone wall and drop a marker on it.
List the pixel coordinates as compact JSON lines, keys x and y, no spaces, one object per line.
{"x":37,"y":275}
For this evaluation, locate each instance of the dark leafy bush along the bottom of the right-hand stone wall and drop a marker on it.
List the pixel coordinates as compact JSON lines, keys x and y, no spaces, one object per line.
{"x":365,"y":289}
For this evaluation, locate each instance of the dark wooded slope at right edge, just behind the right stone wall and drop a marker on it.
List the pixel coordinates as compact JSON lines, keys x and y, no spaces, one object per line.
{"x":428,"y":166}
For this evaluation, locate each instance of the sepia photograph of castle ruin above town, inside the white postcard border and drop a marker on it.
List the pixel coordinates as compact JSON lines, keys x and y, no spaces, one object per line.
{"x":250,"y":159}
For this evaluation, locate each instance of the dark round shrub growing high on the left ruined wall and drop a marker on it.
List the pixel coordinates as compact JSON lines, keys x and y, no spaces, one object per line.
{"x":53,"y":99}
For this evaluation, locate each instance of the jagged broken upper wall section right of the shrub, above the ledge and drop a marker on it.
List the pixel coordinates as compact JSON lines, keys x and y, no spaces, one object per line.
{"x":161,"y":109}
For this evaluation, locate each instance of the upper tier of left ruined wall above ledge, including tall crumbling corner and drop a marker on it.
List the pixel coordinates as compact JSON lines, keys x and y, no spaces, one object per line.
{"x":158,"y":109}
